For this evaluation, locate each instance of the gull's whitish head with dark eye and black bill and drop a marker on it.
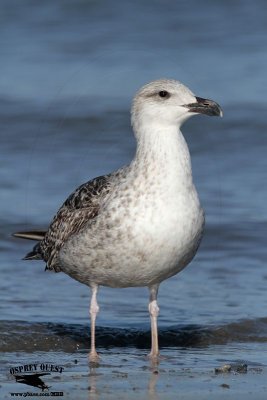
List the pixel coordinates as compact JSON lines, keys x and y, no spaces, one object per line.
{"x":167,"y":102}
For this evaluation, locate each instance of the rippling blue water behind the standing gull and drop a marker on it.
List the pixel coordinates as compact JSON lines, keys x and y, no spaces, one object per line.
{"x":68,"y":72}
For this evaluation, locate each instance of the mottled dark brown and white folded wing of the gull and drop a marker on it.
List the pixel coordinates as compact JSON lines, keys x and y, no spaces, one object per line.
{"x":81,"y":206}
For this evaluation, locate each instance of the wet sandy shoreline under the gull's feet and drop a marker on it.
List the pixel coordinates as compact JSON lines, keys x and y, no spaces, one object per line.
{"x":130,"y":376}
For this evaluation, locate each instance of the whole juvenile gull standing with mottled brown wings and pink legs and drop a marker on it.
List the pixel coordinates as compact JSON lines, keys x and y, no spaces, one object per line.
{"x":142,"y":223}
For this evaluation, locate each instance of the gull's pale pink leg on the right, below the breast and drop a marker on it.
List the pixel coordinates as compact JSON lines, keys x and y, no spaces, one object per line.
{"x":154,"y":312}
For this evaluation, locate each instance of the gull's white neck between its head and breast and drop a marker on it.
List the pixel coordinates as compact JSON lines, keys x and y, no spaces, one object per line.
{"x":162,"y":152}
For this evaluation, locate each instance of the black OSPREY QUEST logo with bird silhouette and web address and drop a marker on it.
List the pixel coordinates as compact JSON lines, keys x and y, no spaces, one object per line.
{"x":35,"y":375}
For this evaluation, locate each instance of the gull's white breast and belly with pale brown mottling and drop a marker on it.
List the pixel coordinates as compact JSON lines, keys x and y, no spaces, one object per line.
{"x":150,"y":227}
